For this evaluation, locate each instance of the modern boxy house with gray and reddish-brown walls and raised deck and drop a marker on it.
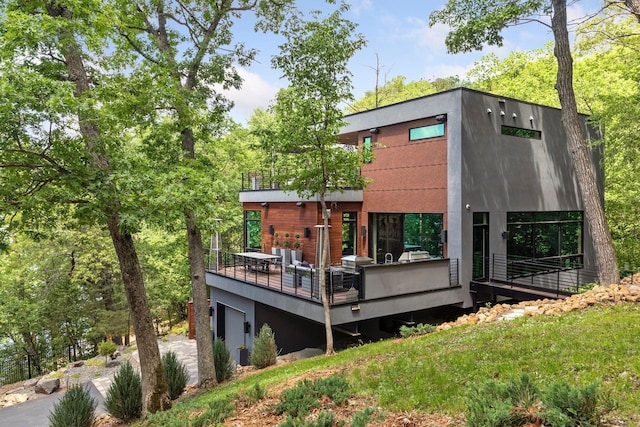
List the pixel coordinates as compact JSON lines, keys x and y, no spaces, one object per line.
{"x":472,"y":195}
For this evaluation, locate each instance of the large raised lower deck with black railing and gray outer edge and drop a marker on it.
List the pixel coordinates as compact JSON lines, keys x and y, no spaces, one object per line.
{"x":370,"y":291}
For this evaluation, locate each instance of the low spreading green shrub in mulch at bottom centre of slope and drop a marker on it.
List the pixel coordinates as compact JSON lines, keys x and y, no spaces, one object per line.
{"x":299,"y":400}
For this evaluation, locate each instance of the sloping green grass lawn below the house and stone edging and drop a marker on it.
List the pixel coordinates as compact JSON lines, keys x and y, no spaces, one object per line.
{"x":432,"y":373}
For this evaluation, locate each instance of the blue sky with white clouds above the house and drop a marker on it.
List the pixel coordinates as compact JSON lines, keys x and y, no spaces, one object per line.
{"x":398,"y":32}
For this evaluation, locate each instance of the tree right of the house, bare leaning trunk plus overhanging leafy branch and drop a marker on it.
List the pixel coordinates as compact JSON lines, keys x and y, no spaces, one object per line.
{"x":474,"y":22}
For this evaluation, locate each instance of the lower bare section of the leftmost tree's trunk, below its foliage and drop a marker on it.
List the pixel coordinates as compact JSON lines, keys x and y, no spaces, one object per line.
{"x":154,"y":387}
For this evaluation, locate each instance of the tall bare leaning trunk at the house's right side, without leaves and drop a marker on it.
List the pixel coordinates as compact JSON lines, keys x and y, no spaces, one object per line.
{"x":585,"y":173}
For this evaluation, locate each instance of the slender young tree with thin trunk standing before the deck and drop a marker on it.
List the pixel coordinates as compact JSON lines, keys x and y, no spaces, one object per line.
{"x":314,"y":59}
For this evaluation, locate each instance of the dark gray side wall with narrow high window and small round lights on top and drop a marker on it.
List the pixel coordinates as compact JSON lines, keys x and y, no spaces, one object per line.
{"x":501,"y":174}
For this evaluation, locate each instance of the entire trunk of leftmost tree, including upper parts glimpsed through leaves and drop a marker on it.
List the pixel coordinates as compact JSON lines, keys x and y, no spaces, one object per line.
{"x":155,"y":396}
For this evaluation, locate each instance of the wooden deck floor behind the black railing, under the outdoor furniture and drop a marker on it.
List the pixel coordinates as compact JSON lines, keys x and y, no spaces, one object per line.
{"x":271,"y":276}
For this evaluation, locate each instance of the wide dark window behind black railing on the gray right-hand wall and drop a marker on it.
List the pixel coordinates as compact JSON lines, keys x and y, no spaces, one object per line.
{"x":553,"y":237}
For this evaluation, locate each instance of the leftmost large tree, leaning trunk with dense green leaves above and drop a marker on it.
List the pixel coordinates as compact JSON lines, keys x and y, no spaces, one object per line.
{"x":60,"y":146}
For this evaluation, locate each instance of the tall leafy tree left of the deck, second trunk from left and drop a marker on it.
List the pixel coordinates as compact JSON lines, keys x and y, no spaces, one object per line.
{"x":185,"y":44}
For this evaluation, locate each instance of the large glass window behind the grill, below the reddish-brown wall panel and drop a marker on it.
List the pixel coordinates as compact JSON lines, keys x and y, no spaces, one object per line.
{"x":398,"y":233}
